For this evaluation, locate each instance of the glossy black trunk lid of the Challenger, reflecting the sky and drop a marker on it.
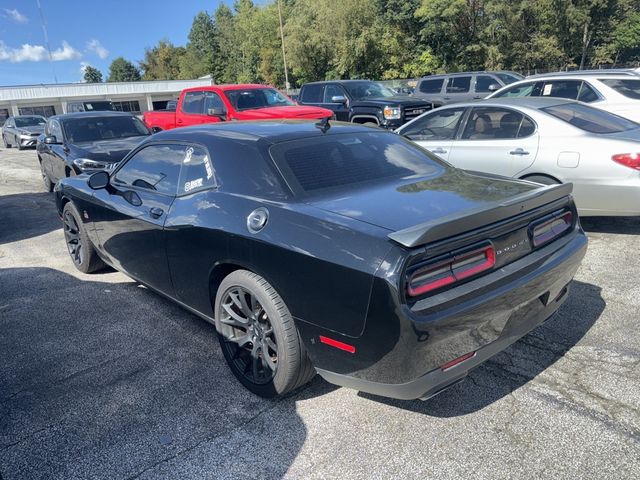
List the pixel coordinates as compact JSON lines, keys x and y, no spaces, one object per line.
{"x":406,"y":203}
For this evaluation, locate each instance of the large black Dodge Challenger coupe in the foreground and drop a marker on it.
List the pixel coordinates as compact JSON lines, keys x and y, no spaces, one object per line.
{"x":332,"y":248}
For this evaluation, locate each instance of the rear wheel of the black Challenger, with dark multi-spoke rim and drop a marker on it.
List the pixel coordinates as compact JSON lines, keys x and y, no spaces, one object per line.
{"x":248,"y":346}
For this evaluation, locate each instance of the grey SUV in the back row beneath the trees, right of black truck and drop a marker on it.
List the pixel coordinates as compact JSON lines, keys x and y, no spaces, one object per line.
{"x":462,"y":87}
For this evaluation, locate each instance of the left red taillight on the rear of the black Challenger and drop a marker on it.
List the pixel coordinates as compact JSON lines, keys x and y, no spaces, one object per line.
{"x":459,"y":267}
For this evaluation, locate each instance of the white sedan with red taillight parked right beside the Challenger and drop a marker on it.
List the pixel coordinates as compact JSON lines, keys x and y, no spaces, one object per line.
{"x":545,"y":140}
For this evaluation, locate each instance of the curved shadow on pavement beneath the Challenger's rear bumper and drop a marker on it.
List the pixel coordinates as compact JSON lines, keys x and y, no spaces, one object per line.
{"x":518,"y":364}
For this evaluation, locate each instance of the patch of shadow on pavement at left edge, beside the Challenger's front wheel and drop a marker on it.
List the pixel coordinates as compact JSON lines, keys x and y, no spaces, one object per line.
{"x":27,"y":215}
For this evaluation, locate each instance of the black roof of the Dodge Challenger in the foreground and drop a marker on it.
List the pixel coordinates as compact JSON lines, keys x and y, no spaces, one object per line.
{"x":271,"y":131}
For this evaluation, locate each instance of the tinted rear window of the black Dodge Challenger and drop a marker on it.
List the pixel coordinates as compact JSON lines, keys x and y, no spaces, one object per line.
{"x":315,"y":164}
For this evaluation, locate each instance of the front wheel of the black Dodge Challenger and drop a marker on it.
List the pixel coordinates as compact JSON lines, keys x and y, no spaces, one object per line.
{"x":81,"y":250}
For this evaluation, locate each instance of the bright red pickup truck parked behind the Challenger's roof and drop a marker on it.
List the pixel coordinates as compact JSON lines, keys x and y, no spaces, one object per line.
{"x":219,"y":103}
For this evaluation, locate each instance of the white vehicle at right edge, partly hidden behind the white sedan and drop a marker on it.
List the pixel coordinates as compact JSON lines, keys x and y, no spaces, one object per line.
{"x":616,"y":93}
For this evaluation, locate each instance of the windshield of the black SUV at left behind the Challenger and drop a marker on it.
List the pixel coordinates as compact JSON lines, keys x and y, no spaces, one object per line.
{"x":91,"y":129}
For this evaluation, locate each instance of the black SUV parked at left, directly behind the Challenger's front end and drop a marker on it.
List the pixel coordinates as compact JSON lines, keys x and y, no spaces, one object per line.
{"x":84,"y":142}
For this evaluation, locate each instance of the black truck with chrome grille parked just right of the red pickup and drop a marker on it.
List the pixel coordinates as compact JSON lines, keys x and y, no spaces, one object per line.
{"x":363,"y":101}
